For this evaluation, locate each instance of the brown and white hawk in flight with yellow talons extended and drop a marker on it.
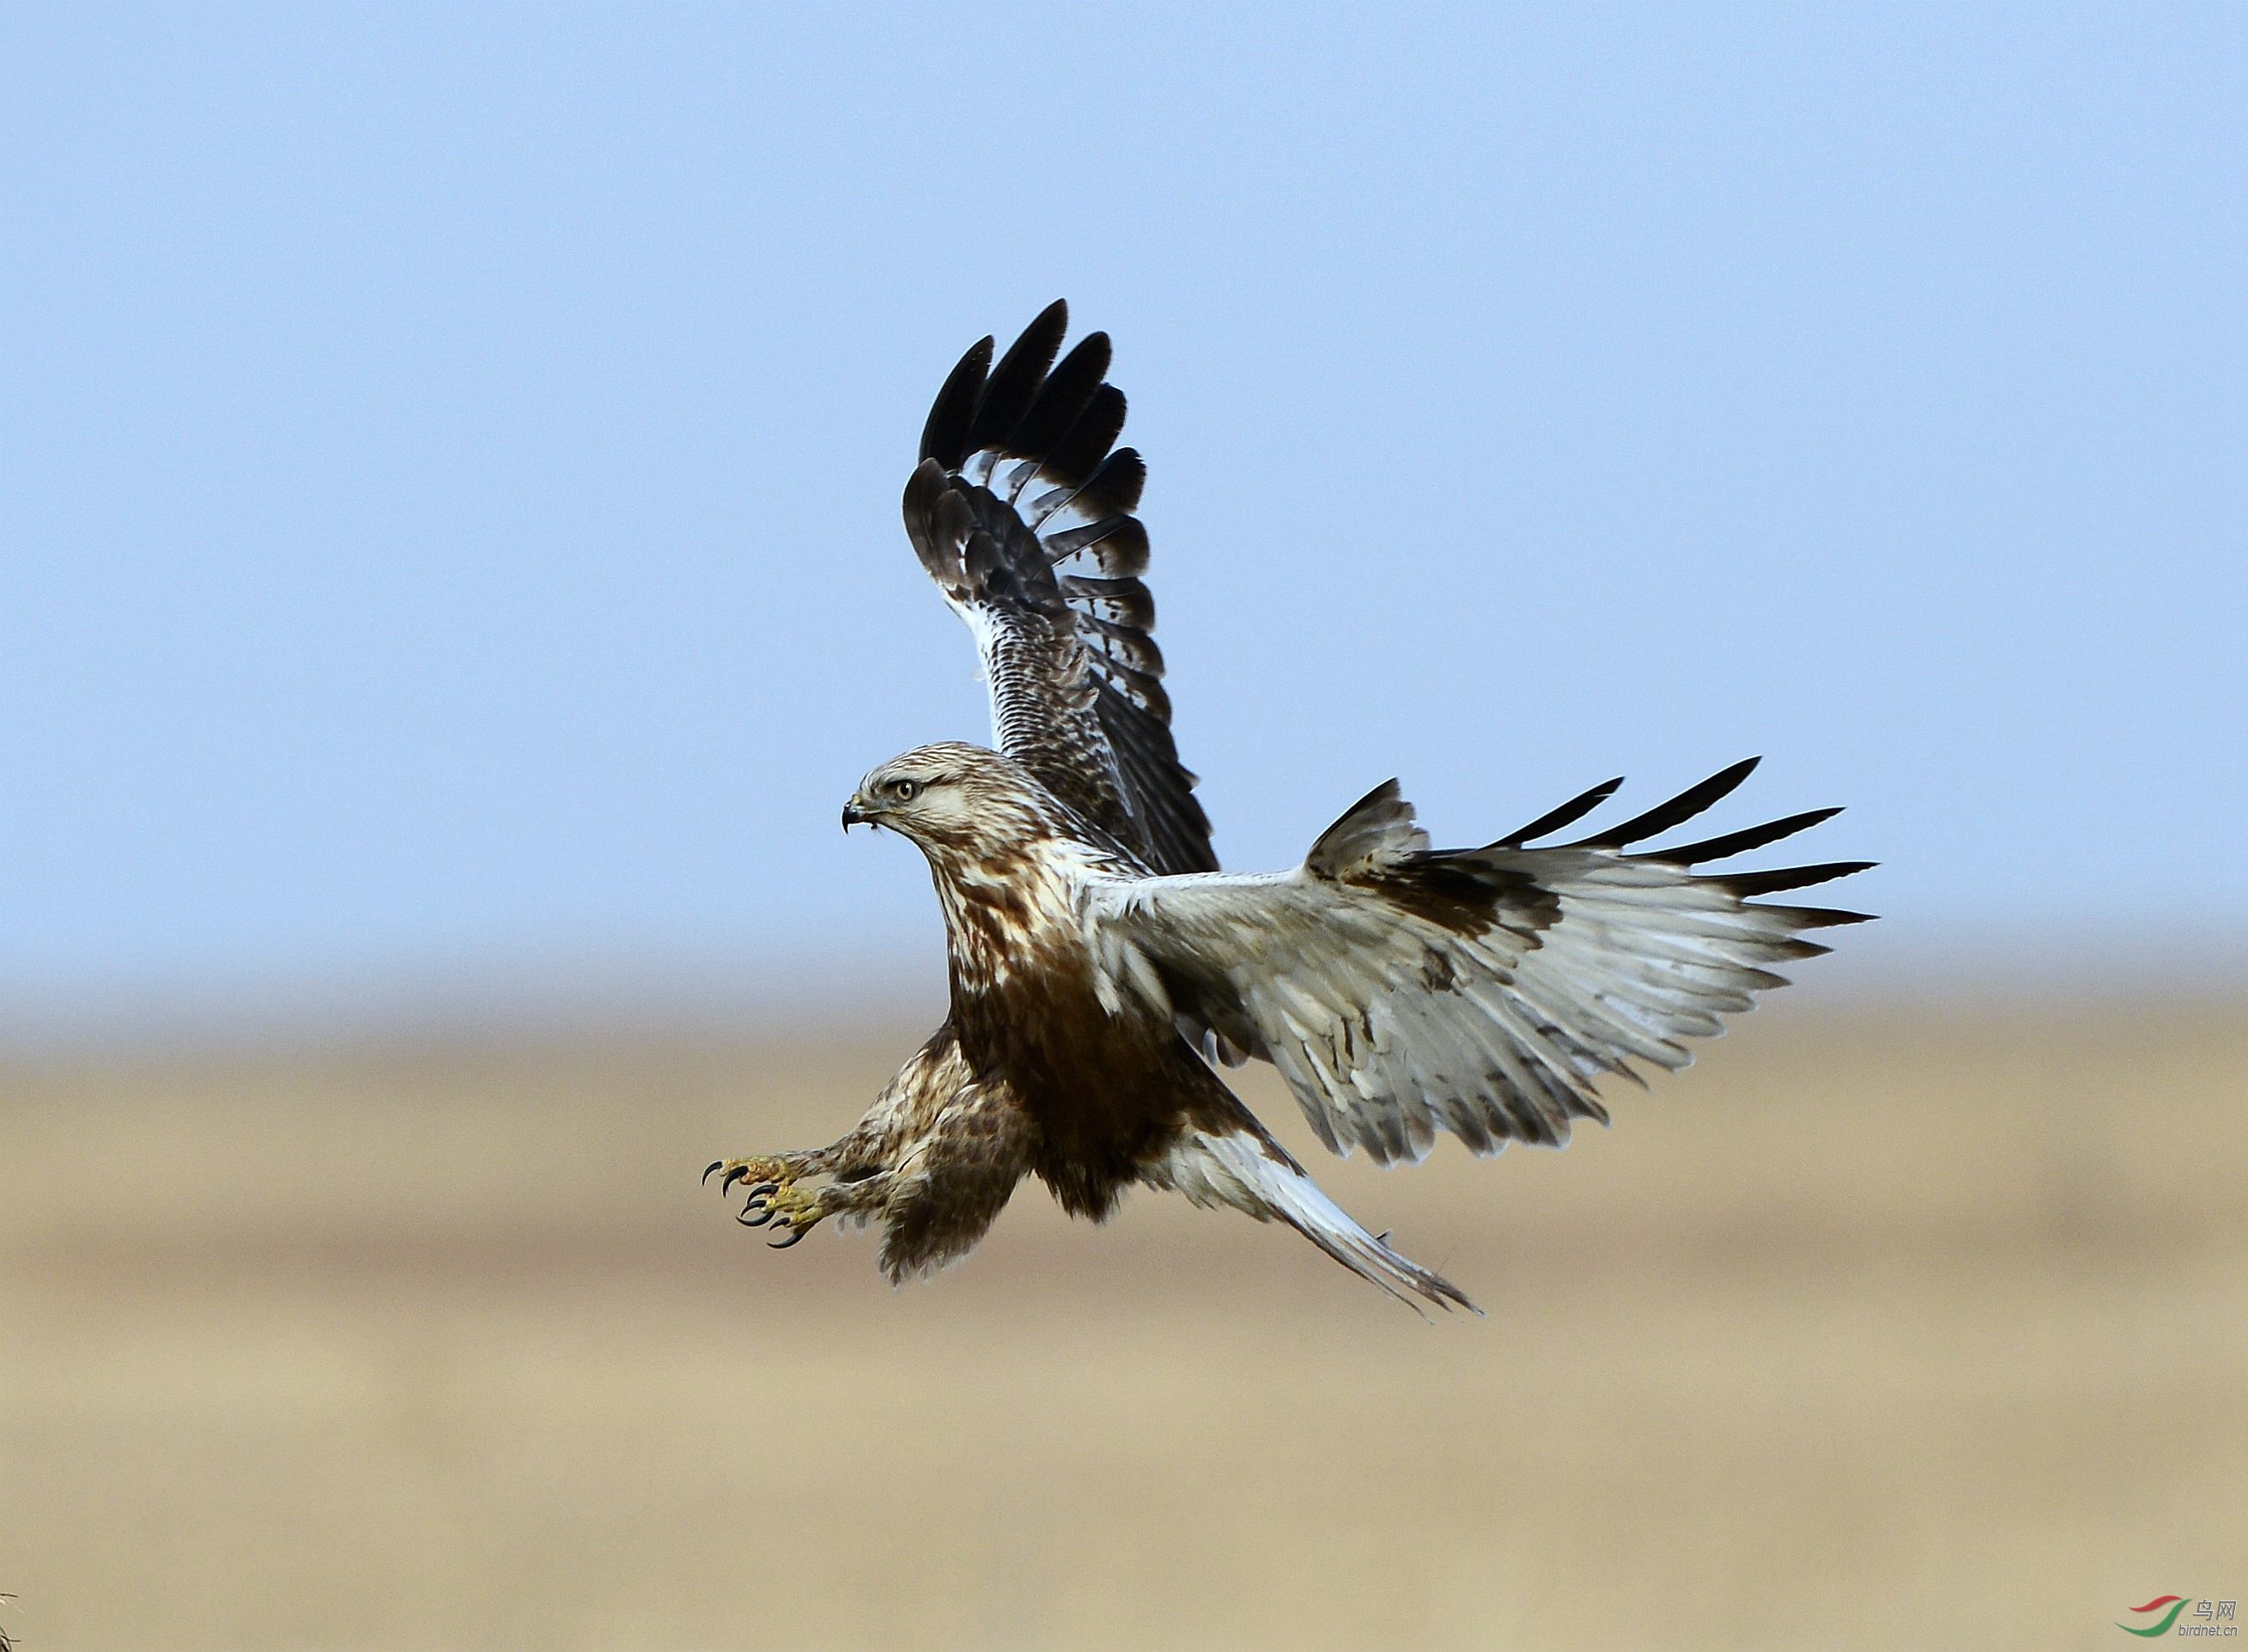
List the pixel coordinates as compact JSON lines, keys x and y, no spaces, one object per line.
{"x":1103,"y":968}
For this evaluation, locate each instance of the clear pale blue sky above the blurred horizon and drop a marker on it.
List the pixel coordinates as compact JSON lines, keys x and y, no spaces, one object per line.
{"x":451,"y":462}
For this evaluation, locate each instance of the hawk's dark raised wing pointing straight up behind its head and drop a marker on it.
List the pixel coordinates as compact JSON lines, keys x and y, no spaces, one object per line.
{"x":1024,"y":518}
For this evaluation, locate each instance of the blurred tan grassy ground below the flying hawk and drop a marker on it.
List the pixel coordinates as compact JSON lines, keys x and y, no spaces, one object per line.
{"x":1905,"y":1332}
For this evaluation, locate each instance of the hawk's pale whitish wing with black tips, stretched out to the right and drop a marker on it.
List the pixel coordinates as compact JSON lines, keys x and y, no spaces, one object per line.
{"x":1406,"y":990}
